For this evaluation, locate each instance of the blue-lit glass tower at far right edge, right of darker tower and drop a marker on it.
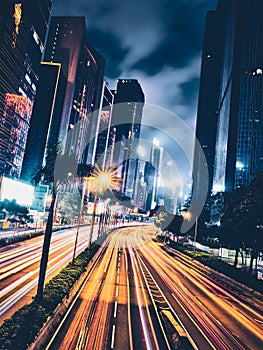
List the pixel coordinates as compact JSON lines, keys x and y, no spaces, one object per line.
{"x":239,"y":142}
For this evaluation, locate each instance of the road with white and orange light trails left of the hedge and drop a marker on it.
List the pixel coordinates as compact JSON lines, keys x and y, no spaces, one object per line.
{"x":19,"y":266}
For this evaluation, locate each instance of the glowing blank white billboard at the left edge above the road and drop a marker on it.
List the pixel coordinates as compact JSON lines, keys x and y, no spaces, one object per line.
{"x":13,"y":189}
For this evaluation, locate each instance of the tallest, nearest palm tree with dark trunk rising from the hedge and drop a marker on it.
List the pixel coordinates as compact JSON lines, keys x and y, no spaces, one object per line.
{"x":54,"y":173}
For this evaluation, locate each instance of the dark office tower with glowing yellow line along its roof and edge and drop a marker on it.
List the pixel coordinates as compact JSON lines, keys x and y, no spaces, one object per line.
{"x":46,"y":117}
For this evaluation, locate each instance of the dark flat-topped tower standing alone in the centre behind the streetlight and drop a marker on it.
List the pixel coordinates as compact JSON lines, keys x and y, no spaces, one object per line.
{"x":126,"y":118}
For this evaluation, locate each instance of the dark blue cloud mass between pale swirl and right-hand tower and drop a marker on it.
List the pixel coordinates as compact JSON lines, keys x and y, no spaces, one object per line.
{"x":183,"y":25}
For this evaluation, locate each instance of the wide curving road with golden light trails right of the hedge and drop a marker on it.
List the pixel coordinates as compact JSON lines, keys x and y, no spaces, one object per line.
{"x":140,"y":296}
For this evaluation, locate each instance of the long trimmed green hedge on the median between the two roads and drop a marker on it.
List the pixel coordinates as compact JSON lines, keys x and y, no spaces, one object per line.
{"x":19,"y":331}
